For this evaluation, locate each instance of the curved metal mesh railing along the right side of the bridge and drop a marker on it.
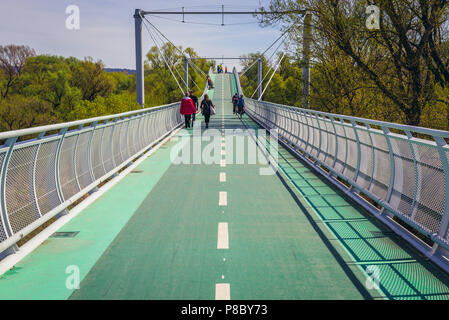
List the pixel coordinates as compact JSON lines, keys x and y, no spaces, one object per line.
{"x":403,"y":176}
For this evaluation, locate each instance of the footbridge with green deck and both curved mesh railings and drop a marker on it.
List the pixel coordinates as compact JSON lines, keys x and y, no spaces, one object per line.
{"x":352,"y":209}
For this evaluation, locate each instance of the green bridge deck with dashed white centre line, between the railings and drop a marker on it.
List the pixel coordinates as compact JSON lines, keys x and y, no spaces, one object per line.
{"x":290,"y":236}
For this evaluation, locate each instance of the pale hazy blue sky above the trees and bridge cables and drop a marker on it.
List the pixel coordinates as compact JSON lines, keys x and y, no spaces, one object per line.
{"x":107,"y":28}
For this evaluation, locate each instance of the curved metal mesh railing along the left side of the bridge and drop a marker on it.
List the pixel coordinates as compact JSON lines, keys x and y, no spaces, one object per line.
{"x":40,"y":178}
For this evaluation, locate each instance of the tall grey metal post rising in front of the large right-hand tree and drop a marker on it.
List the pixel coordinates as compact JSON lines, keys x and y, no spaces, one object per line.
{"x":307,"y":39}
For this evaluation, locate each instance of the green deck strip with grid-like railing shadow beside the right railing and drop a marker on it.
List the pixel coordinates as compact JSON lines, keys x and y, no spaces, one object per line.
{"x":403,"y":272}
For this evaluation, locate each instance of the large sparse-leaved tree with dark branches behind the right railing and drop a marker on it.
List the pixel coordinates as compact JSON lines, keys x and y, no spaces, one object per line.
{"x":398,"y":65}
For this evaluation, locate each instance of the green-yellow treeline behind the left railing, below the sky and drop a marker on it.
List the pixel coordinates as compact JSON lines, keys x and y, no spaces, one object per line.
{"x":43,"y":89}
